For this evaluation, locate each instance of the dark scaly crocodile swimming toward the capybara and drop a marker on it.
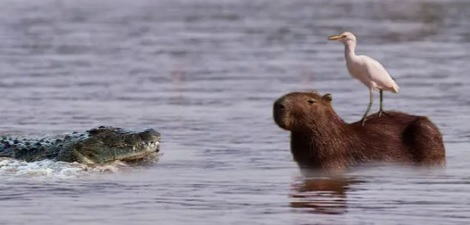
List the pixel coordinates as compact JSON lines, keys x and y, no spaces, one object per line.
{"x":95,"y":146}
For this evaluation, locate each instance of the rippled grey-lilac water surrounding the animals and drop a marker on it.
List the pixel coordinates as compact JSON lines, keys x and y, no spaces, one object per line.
{"x":205,"y":74}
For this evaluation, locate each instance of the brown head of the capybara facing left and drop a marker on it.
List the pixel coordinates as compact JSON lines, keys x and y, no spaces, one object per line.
{"x":298,"y":111}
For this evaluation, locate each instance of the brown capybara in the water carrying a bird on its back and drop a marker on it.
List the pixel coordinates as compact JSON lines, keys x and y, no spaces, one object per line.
{"x":320,"y":139}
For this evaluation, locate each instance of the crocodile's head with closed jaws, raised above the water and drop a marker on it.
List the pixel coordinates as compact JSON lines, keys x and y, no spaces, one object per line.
{"x":106,"y":144}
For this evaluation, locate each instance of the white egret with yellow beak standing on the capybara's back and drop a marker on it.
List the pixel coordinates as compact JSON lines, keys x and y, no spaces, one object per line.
{"x":367,"y":70}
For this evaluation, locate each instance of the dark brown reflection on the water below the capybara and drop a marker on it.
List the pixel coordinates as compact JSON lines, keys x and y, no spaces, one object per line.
{"x":323,"y":195}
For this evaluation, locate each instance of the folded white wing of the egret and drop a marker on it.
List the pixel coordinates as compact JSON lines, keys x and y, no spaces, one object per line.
{"x":379,"y":75}
